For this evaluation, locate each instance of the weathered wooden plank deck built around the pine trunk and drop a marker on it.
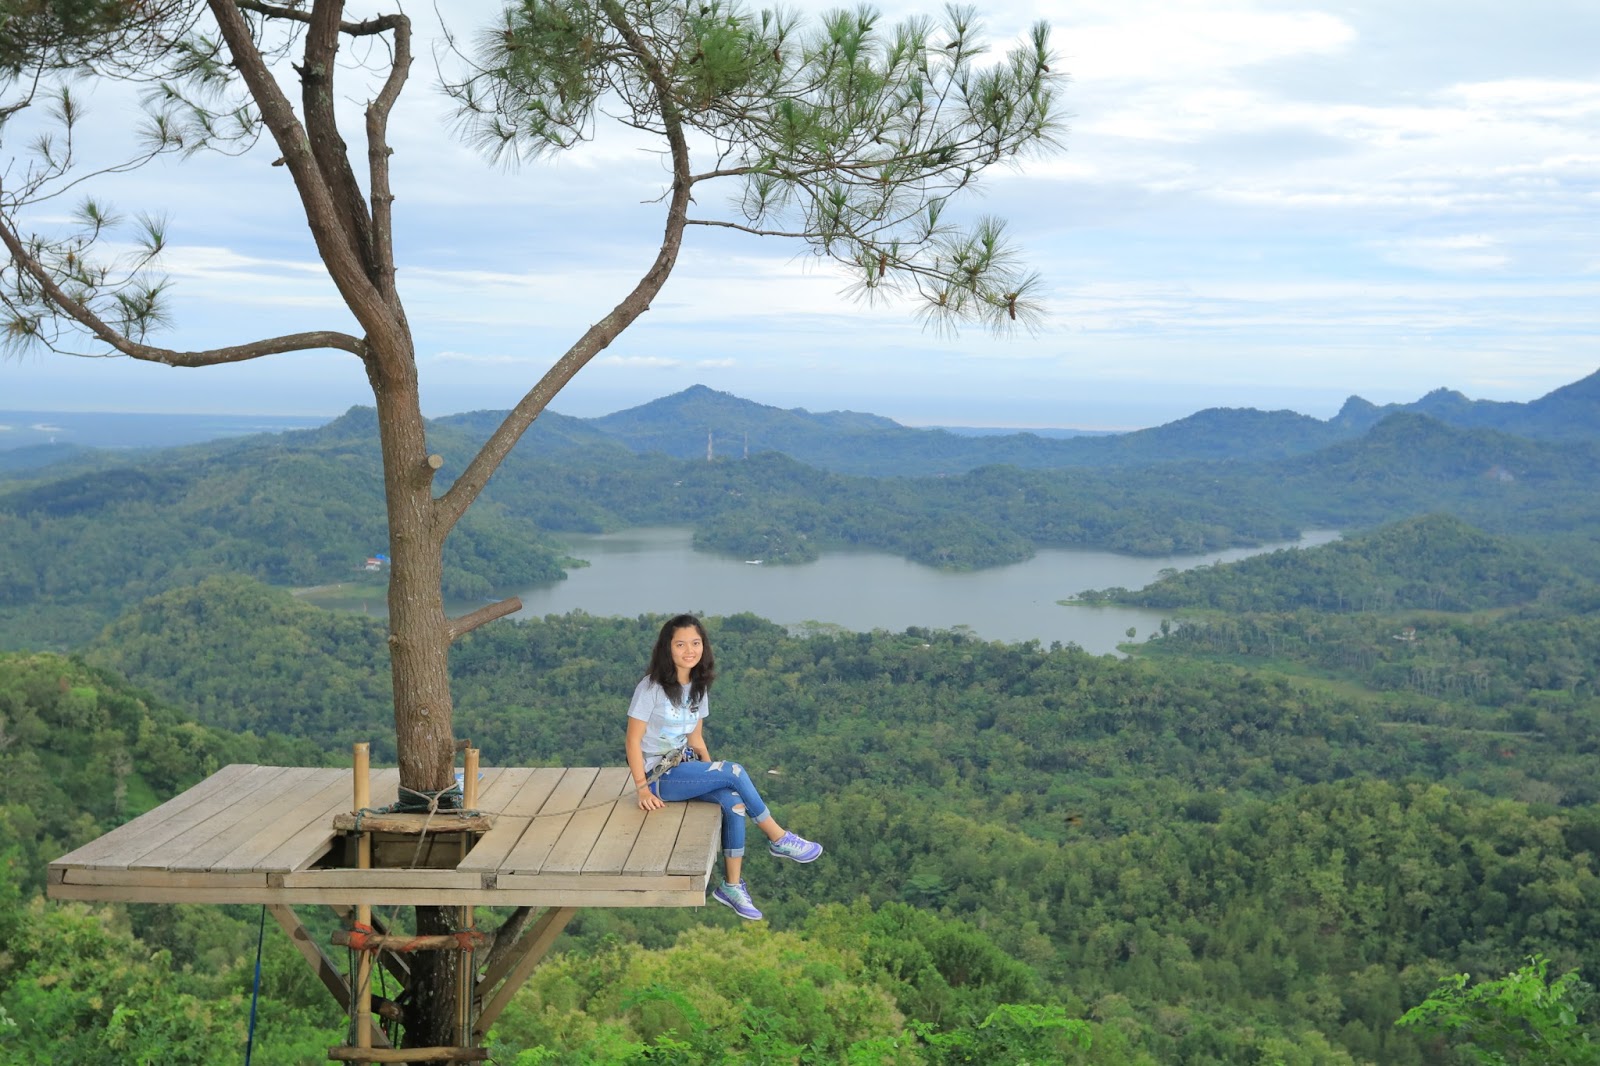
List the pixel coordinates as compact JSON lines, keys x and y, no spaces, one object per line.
{"x":562,"y":838}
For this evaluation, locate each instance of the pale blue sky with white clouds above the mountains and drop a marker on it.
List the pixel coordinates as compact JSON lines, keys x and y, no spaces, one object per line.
{"x":1270,"y":206}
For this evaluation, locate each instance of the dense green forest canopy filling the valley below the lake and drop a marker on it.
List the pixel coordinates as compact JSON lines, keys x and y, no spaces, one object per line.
{"x":1191,"y":862}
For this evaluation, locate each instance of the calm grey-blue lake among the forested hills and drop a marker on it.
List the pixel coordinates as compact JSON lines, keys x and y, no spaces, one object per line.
{"x":657,"y":571}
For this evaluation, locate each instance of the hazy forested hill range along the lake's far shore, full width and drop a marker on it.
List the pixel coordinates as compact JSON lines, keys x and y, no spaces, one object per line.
{"x":305,"y":508}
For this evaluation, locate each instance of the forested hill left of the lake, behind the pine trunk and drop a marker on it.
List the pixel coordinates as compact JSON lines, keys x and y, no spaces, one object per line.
{"x":295,"y":510}
